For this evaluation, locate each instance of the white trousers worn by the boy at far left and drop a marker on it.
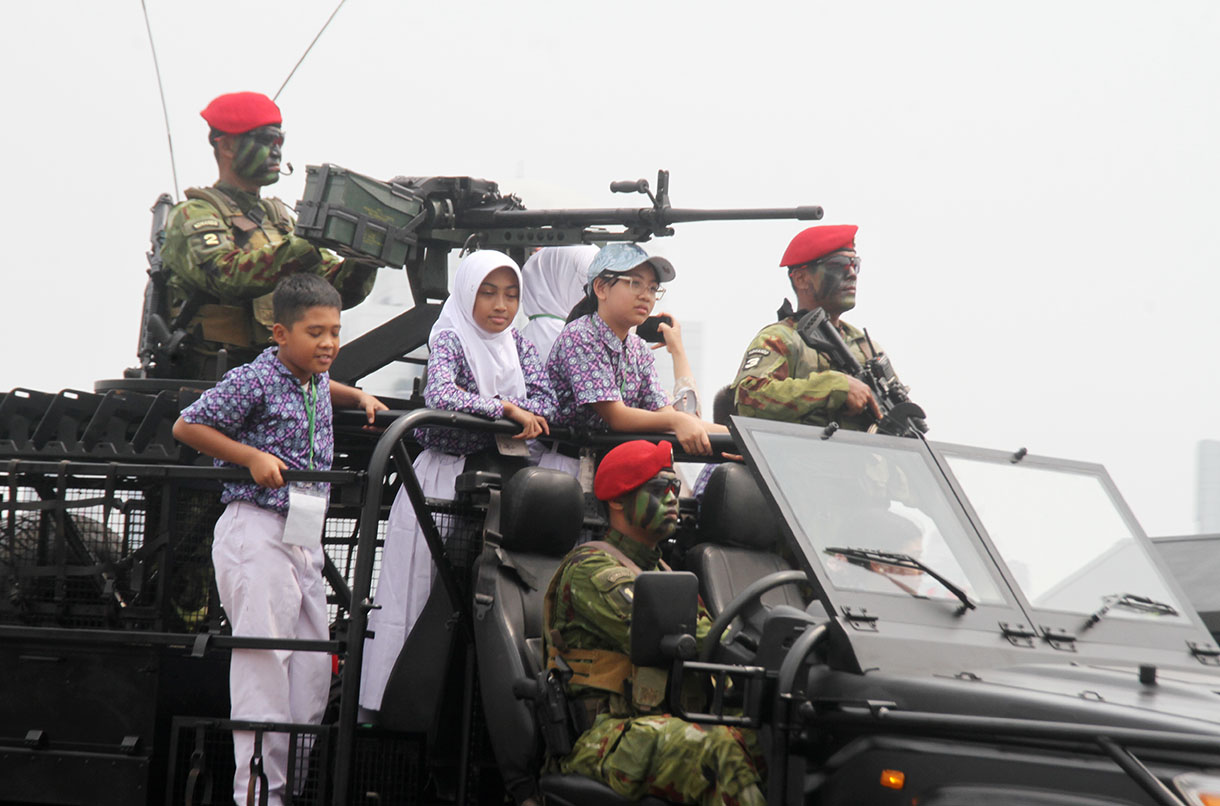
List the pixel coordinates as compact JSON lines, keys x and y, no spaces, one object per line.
{"x":271,"y":590}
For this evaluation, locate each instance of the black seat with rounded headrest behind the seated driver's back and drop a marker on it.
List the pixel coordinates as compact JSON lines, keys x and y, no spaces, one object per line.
{"x":541,"y":516}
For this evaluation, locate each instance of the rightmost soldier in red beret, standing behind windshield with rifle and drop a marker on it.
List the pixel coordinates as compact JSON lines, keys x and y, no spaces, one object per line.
{"x":784,"y":379}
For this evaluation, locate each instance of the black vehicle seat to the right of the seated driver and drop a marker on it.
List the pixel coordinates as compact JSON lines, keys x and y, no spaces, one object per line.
{"x":739,"y":542}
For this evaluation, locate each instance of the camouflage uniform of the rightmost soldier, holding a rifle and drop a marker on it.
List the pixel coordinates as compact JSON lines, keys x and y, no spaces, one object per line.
{"x":784,"y":379}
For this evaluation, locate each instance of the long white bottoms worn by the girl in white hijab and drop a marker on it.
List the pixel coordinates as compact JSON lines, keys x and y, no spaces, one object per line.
{"x":406,"y":580}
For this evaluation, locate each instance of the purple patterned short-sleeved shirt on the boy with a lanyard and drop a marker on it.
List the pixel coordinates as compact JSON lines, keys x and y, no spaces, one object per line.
{"x":263,"y":405}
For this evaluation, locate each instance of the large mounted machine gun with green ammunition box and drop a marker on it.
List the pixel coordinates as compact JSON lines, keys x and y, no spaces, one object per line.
{"x":415,"y":223}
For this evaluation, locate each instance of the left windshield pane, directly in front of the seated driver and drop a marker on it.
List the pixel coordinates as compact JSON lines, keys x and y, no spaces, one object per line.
{"x":850,"y":501}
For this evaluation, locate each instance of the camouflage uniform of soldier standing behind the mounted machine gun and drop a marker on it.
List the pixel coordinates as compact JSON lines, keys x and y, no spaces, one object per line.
{"x":234,"y":247}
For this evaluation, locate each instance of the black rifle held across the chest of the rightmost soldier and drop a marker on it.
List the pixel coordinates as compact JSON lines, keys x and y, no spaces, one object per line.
{"x":900,"y":416}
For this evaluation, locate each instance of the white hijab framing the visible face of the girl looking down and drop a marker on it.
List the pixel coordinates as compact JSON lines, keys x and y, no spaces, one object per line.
{"x":492,"y":357}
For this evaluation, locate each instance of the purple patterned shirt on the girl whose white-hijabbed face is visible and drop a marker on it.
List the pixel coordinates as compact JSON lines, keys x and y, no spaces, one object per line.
{"x":452,"y":387}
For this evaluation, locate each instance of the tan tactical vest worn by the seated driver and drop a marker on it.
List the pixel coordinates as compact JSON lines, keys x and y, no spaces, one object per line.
{"x":634,"y":691}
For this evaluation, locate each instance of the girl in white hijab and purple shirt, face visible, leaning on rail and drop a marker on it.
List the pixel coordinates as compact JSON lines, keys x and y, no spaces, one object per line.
{"x":478,"y":365}
